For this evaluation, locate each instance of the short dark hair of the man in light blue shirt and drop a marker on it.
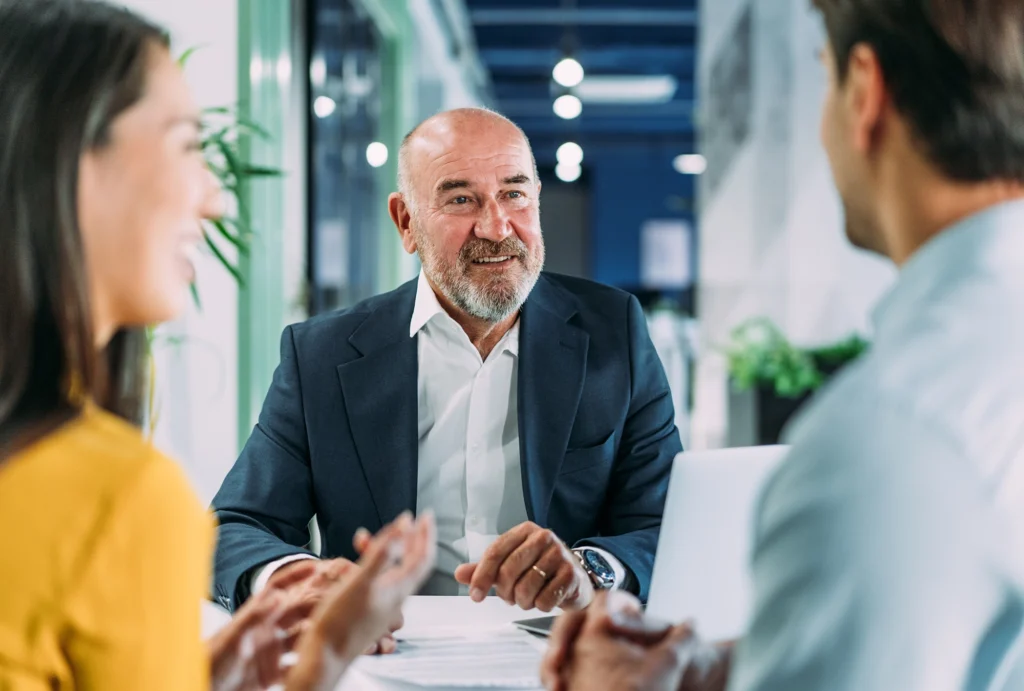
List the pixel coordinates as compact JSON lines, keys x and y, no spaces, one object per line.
{"x":956,"y":72}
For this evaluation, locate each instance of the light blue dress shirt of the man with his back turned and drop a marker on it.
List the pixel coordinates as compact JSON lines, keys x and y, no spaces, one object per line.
{"x":889,"y":547}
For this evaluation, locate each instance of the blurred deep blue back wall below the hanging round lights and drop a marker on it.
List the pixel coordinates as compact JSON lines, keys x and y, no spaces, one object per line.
{"x":628,"y":189}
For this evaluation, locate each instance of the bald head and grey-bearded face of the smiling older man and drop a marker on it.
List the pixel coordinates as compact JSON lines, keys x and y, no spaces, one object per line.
{"x":477,"y":224}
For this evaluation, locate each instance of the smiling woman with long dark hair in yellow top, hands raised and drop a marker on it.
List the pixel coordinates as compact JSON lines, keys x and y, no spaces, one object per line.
{"x":105,"y":552}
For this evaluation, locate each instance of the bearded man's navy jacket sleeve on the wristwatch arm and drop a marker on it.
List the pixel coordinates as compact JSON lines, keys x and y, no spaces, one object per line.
{"x":639,"y":483}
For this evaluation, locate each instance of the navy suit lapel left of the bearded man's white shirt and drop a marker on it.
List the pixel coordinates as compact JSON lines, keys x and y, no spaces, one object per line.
{"x":380,"y":395}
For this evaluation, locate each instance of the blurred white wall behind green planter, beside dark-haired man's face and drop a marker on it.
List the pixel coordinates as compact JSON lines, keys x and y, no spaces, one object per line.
{"x":772,"y":233}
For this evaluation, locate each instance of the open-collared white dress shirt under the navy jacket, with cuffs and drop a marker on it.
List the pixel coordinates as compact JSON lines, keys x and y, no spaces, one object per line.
{"x":468,"y":428}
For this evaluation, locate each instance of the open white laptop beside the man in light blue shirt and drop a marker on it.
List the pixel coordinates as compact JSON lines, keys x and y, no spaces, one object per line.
{"x":702,"y":570}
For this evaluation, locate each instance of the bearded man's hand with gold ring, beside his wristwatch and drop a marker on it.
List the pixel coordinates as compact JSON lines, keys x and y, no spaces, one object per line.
{"x":529,"y":567}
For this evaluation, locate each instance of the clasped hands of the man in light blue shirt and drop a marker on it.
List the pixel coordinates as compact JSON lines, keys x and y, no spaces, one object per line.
{"x":610,"y":646}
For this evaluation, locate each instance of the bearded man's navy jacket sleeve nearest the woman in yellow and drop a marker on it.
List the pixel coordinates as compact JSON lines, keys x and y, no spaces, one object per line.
{"x":267,"y":501}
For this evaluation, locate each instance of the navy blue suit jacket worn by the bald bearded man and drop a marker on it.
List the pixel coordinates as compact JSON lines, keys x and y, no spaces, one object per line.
{"x":337,"y":437}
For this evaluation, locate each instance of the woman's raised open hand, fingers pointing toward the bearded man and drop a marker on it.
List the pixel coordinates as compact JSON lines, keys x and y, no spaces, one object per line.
{"x":361,"y":610}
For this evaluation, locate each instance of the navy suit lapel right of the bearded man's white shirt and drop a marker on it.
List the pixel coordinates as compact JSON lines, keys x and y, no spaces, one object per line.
{"x":553,"y":364}
